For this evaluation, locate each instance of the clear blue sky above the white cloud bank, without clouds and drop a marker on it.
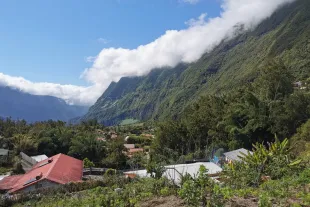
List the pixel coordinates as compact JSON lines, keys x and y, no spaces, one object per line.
{"x":48,"y":41}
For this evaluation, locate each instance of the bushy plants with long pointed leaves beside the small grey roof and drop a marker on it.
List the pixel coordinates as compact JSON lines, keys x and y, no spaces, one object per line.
{"x":274,"y":161}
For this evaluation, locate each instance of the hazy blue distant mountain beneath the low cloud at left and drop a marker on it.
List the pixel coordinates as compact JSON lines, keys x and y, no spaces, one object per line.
{"x":19,"y":105}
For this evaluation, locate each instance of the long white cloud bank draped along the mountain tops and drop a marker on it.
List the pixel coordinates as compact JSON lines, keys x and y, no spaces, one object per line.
{"x":171,"y":48}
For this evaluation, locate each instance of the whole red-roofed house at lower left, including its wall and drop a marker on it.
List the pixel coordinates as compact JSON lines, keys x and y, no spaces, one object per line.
{"x":52,"y":172}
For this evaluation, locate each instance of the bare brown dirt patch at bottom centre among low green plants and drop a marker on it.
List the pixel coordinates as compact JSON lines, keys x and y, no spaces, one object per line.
{"x":170,"y":201}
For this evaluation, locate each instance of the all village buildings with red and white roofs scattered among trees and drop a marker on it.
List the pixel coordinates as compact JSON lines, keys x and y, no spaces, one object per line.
{"x":42,"y":172}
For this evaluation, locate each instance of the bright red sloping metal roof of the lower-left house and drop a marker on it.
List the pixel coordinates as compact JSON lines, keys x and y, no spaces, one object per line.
{"x":61,"y":169}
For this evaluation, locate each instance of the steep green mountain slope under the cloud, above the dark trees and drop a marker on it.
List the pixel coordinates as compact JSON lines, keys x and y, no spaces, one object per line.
{"x":166,"y":92}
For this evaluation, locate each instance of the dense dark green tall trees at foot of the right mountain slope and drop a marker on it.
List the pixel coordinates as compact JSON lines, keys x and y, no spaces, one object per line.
{"x":254,"y":113}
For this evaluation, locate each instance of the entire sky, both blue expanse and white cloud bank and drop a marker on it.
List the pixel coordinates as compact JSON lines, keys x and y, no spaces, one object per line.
{"x":74,"y":49}
